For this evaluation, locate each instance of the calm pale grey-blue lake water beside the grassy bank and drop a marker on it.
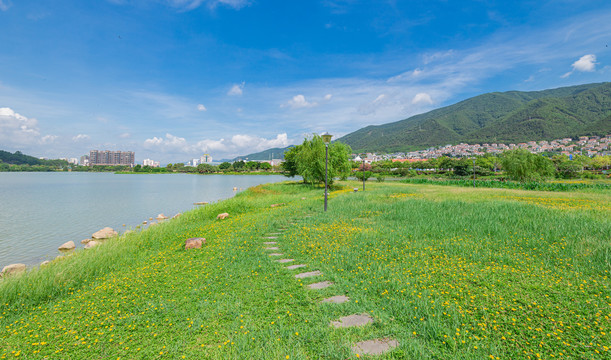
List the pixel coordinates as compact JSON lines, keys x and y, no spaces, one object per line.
{"x":40,"y":211}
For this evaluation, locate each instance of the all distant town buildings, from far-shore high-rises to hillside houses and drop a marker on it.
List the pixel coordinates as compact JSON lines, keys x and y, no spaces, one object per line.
{"x":584,"y":145}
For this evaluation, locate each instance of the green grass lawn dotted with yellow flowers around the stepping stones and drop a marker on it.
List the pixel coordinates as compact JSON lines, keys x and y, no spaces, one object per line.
{"x":449,"y":272}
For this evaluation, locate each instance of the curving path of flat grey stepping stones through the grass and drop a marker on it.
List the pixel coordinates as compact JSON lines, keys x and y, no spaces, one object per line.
{"x":369,"y":347}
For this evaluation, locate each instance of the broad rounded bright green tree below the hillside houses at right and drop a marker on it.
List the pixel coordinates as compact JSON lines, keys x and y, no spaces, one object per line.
{"x":522,"y":165}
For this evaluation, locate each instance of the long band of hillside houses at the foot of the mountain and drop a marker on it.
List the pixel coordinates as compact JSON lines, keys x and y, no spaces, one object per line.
{"x":590,"y":146}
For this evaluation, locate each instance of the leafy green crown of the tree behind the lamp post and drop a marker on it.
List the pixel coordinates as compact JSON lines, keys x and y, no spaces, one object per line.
{"x":308,"y":160}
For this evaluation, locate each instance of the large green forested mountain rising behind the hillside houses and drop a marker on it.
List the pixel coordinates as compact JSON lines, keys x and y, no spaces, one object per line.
{"x":512,"y":116}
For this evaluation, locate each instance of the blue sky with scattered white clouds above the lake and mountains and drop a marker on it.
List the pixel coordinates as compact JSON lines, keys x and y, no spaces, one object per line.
{"x":173,"y":79}
